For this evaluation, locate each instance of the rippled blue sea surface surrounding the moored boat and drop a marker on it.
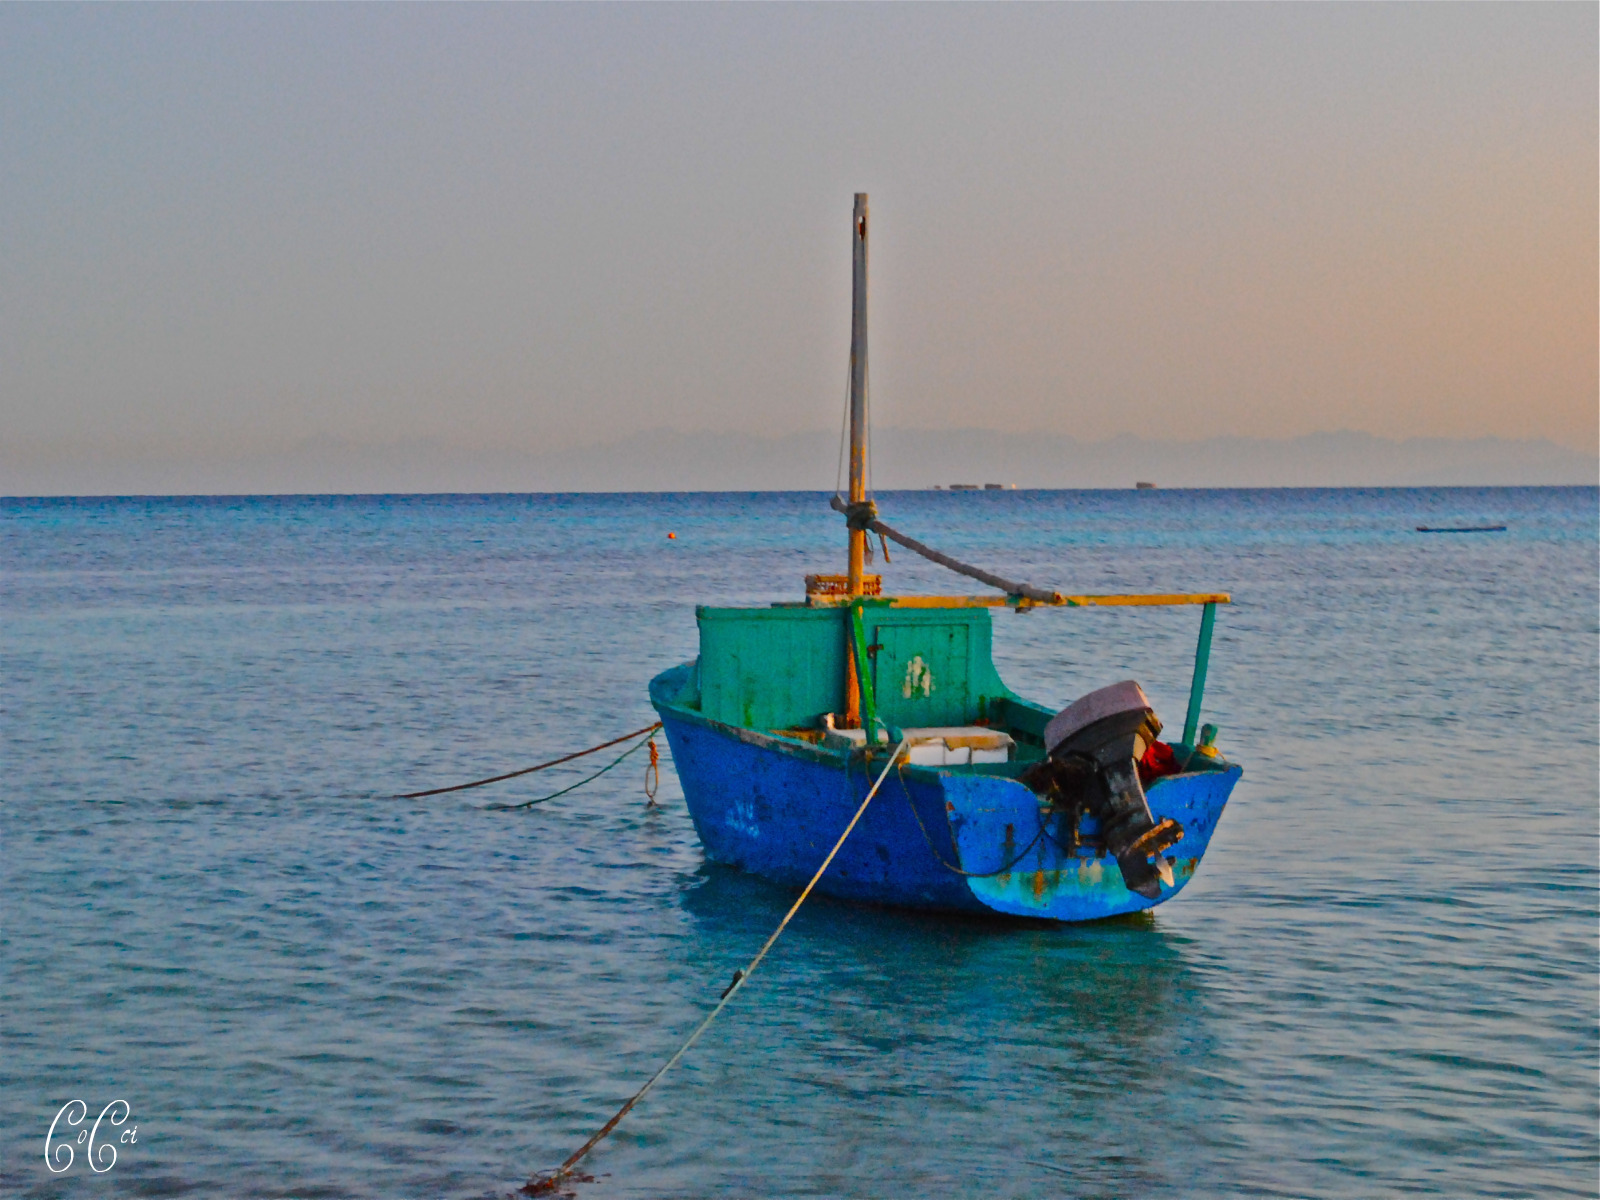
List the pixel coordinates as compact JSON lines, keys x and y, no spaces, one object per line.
{"x":1383,"y":980}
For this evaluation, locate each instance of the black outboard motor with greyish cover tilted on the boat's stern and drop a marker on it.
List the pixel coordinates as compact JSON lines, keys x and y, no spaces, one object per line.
{"x":1094,"y":750}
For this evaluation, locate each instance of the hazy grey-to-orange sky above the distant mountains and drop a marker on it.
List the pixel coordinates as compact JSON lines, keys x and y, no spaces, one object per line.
{"x":231,"y":228}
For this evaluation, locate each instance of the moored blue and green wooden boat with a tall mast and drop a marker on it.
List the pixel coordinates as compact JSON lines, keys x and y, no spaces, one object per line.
{"x":990,"y":802}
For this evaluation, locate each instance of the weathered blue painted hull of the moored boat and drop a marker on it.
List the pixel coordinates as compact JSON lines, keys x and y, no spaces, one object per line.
{"x":945,"y":839}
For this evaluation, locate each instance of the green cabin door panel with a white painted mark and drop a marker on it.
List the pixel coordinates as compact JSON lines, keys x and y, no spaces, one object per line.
{"x":921,"y":674}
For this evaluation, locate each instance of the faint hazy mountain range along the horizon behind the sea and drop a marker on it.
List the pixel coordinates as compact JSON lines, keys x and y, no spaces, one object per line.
{"x":903,"y":458}
